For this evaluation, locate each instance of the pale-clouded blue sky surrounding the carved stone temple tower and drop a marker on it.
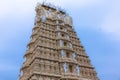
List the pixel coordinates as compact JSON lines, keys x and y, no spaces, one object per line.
{"x":97,"y":23}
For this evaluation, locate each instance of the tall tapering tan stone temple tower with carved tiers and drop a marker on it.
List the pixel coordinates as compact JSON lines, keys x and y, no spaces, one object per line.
{"x":54,"y":51}
